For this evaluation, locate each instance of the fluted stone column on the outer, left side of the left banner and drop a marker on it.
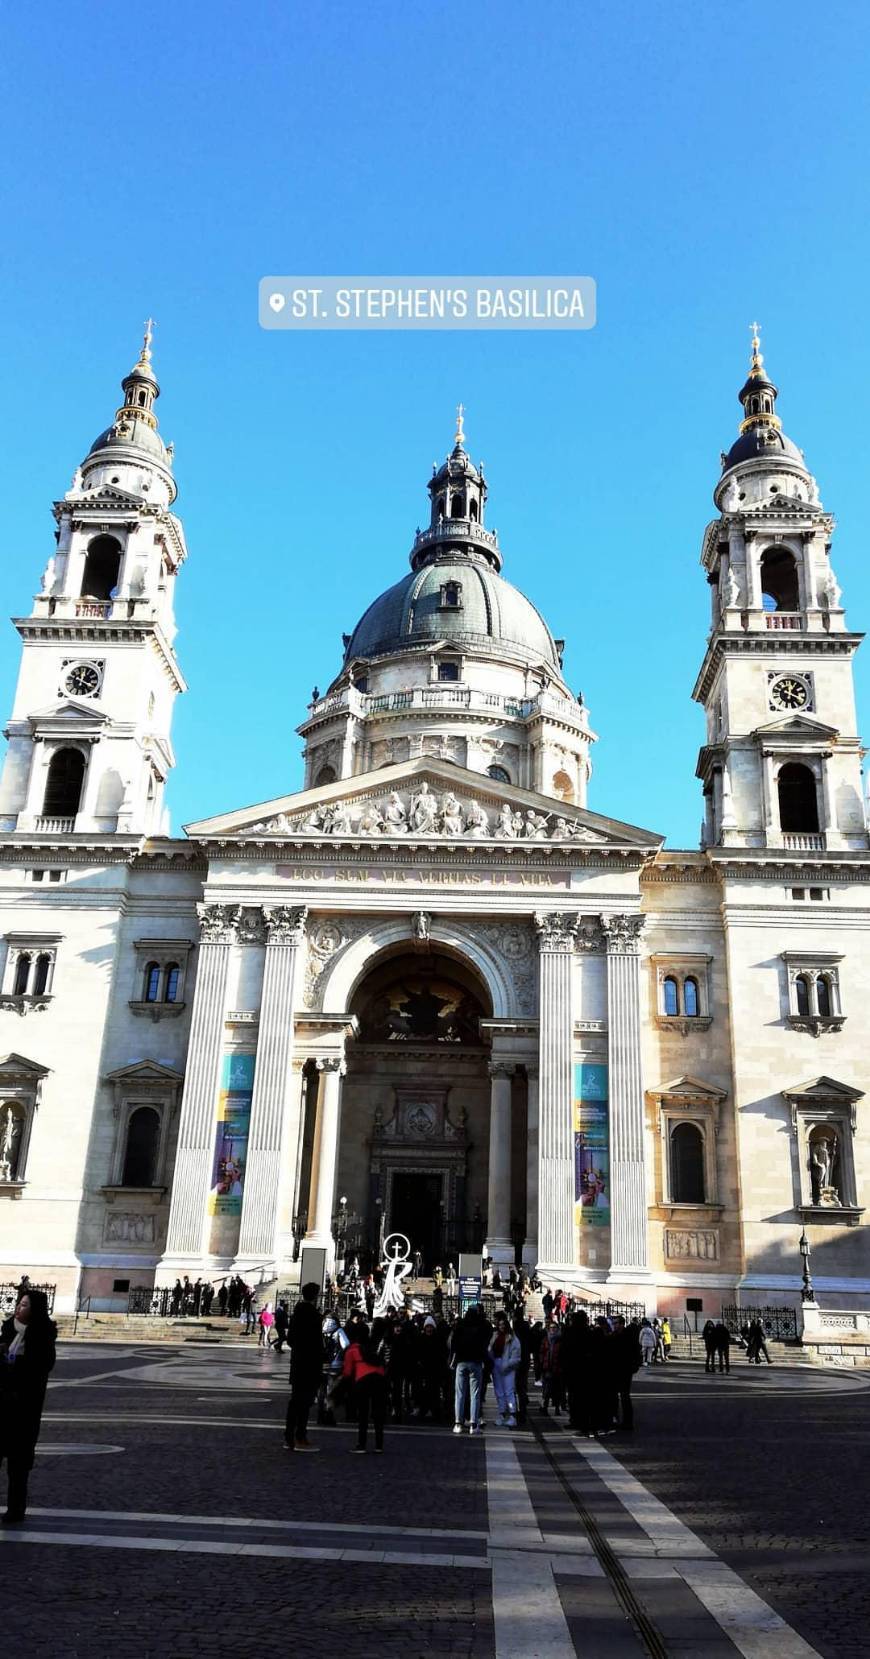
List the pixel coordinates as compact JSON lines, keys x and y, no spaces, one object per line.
{"x":192,"y":1175}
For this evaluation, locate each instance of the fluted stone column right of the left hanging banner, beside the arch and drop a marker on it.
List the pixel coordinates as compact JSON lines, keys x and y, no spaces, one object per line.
{"x":275,"y":1096}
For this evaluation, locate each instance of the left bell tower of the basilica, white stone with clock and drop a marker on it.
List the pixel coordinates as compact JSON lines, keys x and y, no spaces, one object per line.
{"x":89,"y":739}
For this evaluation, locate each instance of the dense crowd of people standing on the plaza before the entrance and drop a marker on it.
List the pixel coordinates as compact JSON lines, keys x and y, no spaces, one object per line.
{"x":431,"y":1368}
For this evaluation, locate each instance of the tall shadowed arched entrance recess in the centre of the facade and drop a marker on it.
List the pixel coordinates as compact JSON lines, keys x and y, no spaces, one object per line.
{"x":416,"y":1106}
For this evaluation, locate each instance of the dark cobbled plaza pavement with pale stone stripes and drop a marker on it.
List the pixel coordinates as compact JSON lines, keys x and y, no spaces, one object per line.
{"x":169,"y":1522}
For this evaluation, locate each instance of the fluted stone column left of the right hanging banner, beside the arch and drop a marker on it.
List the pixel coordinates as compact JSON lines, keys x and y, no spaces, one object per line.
{"x":557,"y":1094}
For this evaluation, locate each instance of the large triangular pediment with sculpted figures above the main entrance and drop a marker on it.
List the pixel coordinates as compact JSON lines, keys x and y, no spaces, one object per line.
{"x":426,"y":799}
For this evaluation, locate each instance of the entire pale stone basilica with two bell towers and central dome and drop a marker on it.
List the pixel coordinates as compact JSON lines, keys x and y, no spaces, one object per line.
{"x":434,"y":991}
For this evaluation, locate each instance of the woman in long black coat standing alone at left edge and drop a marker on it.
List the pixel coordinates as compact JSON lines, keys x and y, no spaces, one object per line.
{"x":27,"y":1358}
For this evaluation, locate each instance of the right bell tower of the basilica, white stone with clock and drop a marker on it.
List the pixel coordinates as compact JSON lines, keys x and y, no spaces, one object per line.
{"x":781,"y":766}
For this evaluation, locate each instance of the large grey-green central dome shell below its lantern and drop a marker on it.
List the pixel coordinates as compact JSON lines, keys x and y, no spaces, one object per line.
{"x":489,"y":618}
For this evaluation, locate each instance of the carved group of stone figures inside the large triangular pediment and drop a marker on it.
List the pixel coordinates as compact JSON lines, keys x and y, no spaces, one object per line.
{"x":424,"y":814}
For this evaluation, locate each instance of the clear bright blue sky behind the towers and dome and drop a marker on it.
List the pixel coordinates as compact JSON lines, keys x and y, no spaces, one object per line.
{"x":708,"y":165}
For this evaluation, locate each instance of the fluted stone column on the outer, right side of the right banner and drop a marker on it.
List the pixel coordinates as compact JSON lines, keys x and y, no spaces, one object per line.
{"x":627,"y":1097}
